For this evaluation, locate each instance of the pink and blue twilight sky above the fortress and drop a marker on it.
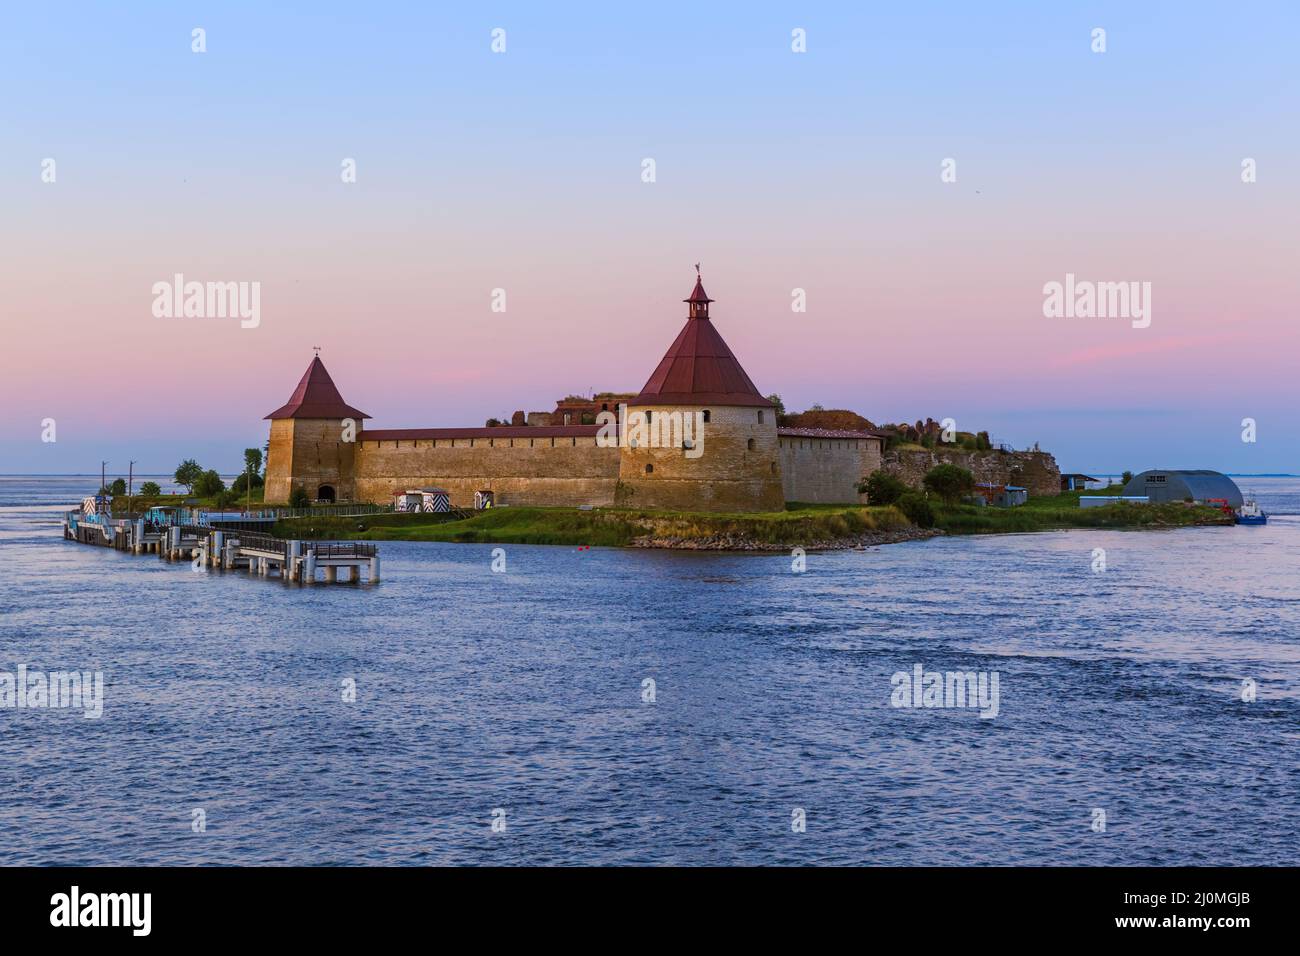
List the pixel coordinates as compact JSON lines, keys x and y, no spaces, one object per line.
{"x":525,"y":171}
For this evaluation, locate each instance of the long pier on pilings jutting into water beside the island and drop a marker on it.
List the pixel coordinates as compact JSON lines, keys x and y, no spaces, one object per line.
{"x":231,"y":550}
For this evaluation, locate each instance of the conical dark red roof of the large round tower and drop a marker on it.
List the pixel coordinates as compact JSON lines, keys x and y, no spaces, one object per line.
{"x":700,"y":369}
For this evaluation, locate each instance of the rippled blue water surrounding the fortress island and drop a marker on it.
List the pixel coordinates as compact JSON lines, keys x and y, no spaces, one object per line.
{"x":521,"y":698}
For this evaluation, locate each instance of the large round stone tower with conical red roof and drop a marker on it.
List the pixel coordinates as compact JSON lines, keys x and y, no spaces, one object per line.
{"x":700,"y":436}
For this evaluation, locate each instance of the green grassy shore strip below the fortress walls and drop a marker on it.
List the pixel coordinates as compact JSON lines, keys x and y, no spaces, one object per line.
{"x":807,"y":526}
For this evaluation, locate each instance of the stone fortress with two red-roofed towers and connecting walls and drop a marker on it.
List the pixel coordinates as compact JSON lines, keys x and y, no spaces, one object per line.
{"x":697,"y":438}
